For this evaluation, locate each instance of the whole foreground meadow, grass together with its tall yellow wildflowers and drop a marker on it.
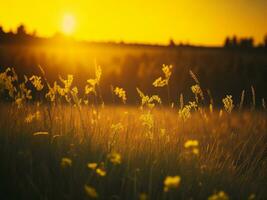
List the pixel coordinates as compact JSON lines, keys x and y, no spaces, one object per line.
{"x":60,"y":142}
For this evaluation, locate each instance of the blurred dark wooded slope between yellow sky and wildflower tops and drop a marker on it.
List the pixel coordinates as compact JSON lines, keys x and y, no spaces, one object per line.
{"x":221,"y":70}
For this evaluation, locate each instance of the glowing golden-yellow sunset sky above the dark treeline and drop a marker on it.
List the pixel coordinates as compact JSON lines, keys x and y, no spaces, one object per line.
{"x":152,"y":21}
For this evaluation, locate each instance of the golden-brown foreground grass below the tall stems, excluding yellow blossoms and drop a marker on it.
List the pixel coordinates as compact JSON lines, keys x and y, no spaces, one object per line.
{"x":232,"y":153}
